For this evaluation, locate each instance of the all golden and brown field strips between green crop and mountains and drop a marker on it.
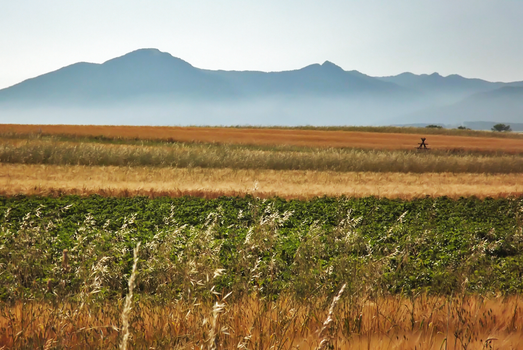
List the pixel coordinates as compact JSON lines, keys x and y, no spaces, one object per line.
{"x":289,"y":163}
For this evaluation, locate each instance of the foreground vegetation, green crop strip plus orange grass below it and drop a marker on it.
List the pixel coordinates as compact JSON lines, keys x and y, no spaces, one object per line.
{"x":250,"y":273}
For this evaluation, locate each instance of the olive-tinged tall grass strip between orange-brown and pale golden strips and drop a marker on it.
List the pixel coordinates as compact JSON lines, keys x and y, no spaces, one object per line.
{"x":236,"y":157}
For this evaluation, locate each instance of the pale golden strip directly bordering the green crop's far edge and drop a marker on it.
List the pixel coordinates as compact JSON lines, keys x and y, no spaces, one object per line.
{"x":205,"y":182}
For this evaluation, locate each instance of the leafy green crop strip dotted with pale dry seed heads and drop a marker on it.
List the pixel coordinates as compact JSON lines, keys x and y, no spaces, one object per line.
{"x":192,"y":247}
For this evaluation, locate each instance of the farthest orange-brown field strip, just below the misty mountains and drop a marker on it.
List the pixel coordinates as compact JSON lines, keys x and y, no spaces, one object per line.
{"x":284,"y":136}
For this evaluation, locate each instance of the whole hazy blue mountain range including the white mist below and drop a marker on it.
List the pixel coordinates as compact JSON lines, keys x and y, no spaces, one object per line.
{"x":150,"y":87}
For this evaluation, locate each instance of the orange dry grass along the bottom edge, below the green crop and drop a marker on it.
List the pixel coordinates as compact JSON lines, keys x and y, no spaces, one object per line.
{"x":465,"y":322}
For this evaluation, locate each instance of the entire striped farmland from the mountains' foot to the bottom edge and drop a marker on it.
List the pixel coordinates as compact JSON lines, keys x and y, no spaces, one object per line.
{"x":259,"y":238}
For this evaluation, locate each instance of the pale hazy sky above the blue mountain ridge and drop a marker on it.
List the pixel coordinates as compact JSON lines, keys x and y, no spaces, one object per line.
{"x":473,"y":38}
